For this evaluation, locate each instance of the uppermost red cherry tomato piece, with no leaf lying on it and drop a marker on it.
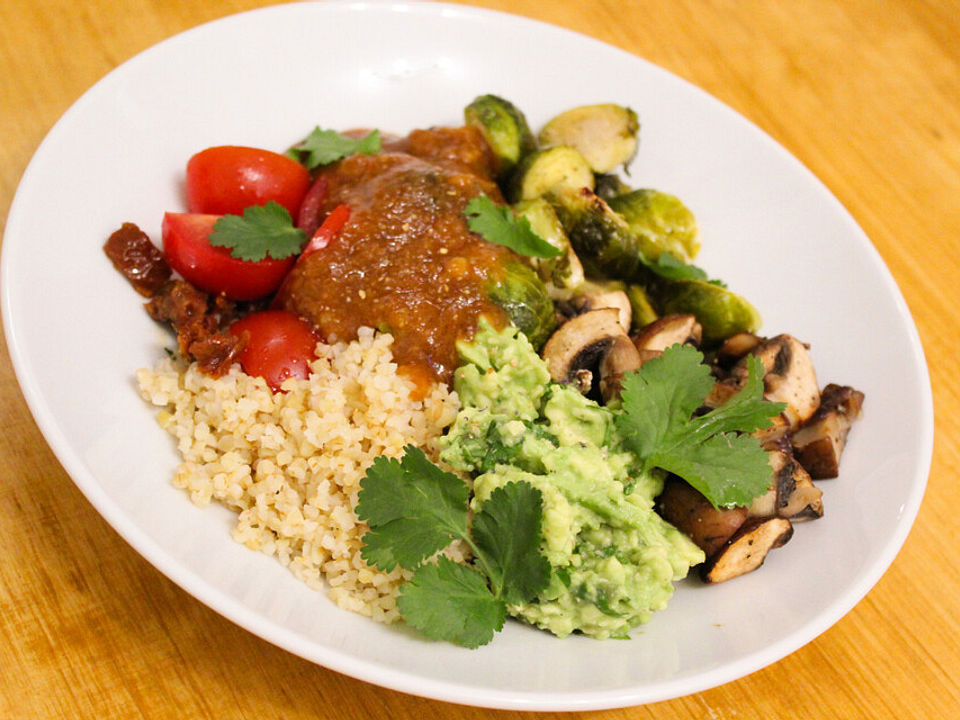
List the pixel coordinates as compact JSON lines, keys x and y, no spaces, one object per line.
{"x":229,"y":179}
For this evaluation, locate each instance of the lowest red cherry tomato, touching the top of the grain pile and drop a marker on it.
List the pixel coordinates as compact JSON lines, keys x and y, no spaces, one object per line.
{"x":280,"y":345}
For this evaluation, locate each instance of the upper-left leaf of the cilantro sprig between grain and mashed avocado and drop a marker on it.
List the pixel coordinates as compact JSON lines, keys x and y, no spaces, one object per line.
{"x":414,"y":509}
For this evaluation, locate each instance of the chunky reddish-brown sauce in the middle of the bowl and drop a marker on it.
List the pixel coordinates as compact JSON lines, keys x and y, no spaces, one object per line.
{"x":405,"y":262}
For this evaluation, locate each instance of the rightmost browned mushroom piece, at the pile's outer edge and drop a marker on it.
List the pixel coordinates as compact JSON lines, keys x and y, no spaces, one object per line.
{"x":819,"y":444}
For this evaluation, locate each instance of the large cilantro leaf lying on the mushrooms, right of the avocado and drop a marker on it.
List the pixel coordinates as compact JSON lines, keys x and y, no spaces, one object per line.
{"x":712,"y":452}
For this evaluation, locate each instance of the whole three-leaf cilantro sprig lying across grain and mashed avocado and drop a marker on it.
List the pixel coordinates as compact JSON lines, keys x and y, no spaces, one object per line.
{"x":414,"y":509}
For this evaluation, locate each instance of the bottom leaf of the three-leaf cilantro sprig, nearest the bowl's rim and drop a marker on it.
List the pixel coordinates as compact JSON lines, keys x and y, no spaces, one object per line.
{"x":452,"y":602}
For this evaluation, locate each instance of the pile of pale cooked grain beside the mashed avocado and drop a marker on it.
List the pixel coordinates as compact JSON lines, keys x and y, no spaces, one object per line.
{"x":291,"y":463}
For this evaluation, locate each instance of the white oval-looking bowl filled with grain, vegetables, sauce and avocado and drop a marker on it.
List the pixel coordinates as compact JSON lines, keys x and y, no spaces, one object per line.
{"x":502,"y":381}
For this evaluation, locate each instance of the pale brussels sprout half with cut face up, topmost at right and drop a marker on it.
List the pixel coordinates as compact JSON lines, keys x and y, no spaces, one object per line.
{"x":606,"y":135}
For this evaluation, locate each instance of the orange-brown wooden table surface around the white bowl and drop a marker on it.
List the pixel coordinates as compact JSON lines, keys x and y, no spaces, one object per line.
{"x":866,"y":93}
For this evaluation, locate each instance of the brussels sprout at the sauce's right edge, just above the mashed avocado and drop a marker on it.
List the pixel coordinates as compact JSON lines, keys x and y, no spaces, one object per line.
{"x":521,"y":294}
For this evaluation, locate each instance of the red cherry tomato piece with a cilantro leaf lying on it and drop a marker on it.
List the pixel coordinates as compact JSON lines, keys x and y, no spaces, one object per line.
{"x":213,"y":269}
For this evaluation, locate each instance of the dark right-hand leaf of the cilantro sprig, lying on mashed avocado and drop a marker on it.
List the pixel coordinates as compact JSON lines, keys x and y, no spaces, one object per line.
{"x":507,"y":535}
